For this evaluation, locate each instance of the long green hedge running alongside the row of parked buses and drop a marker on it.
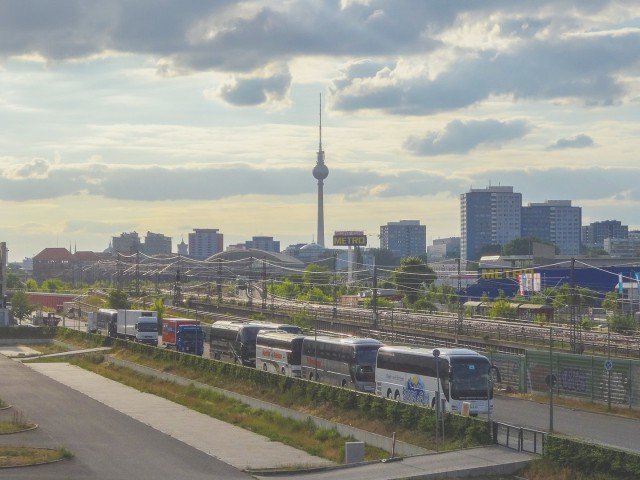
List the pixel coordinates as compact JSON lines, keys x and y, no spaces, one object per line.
{"x":468,"y":430}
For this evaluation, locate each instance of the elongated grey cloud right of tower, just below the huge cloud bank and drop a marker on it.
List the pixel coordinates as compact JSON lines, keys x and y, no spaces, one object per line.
{"x":462,"y":137}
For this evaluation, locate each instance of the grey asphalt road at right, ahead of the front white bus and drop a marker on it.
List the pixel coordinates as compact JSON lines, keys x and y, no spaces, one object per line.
{"x":611,"y":430}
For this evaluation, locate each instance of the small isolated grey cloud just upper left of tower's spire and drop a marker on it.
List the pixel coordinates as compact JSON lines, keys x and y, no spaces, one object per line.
{"x":251,"y":91}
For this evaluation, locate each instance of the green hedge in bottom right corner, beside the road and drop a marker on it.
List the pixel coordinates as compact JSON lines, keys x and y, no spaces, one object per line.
{"x":589,"y":458}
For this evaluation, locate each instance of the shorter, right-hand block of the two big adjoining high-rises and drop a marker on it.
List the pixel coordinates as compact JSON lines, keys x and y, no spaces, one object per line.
{"x":555,"y":221}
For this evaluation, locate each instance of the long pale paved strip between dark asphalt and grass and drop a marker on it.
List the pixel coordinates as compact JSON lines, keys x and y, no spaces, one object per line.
{"x":233,"y":445}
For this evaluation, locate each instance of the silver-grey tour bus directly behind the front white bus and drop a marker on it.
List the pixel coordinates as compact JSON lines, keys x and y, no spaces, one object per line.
{"x":343,"y":361}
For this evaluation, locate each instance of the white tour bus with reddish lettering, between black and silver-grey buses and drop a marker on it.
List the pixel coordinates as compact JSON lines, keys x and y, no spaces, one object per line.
{"x":280,"y":352}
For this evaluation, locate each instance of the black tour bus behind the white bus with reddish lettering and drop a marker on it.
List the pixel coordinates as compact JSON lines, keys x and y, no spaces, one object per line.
{"x":237,"y":340}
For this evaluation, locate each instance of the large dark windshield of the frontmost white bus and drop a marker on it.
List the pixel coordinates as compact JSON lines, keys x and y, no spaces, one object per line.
{"x":469,"y":378}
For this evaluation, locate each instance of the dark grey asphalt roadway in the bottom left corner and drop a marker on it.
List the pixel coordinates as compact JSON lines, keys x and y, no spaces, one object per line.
{"x":105,"y":443}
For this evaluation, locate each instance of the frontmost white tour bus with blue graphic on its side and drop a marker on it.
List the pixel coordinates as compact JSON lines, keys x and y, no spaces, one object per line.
{"x":410,"y":374}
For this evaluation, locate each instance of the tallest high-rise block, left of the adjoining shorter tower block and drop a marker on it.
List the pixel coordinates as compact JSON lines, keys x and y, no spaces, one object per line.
{"x":488,"y":216}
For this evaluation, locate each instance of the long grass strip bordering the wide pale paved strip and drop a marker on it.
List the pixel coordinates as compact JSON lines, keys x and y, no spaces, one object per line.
{"x":302,"y":435}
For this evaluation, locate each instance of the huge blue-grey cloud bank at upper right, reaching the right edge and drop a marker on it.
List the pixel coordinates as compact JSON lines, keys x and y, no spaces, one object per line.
{"x":584,"y":68}
